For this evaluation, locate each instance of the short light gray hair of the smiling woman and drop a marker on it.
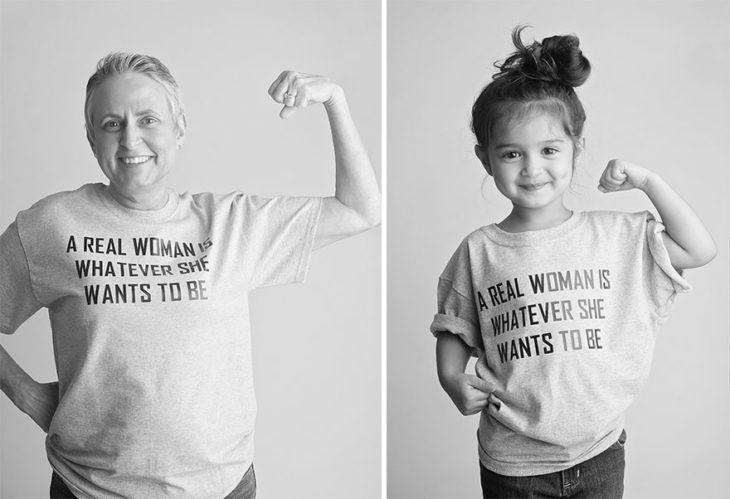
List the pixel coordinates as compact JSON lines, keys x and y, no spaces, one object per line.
{"x":121,"y":62}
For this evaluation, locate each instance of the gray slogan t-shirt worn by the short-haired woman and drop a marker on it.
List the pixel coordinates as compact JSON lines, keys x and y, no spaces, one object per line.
{"x":150,"y":323}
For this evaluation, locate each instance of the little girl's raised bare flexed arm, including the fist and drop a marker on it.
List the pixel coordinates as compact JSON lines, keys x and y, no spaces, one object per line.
{"x":688,"y":242}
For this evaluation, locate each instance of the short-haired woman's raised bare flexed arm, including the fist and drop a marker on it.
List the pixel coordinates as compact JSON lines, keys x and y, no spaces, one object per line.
{"x":355,"y":207}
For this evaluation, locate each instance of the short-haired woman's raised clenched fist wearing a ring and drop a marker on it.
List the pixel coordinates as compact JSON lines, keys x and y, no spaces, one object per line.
{"x":298,"y":90}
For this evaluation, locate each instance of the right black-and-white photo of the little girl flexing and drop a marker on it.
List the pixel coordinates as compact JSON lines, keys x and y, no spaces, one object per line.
{"x":557,"y":190}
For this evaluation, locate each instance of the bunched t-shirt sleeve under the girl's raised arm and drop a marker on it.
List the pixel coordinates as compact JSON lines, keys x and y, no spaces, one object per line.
{"x":661,"y":280}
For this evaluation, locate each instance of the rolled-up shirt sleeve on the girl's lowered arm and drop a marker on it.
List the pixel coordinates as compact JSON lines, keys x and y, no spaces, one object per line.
{"x":457,"y":312}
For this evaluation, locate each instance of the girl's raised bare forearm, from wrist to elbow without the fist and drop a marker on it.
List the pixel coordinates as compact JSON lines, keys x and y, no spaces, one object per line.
{"x":694,"y":244}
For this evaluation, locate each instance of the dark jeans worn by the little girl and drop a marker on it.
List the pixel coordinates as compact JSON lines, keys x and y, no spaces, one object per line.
{"x":601,"y":477}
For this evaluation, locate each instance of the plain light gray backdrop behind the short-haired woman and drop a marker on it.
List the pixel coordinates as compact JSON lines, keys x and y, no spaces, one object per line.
{"x":316,"y":345}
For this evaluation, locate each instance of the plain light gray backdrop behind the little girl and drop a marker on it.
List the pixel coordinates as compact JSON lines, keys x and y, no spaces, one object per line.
{"x":659,"y":95}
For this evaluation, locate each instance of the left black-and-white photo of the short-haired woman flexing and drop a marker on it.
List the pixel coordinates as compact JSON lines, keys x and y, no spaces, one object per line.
{"x":161,"y":160}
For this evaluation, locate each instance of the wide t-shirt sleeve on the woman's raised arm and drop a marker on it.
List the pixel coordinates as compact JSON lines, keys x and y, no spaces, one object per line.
{"x":279,"y":237}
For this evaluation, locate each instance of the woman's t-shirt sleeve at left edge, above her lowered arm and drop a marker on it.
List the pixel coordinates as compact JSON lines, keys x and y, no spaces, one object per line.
{"x":17,"y":301}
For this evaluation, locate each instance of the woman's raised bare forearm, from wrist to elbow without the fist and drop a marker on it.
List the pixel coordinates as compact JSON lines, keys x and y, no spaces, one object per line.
{"x":355,"y":184}
